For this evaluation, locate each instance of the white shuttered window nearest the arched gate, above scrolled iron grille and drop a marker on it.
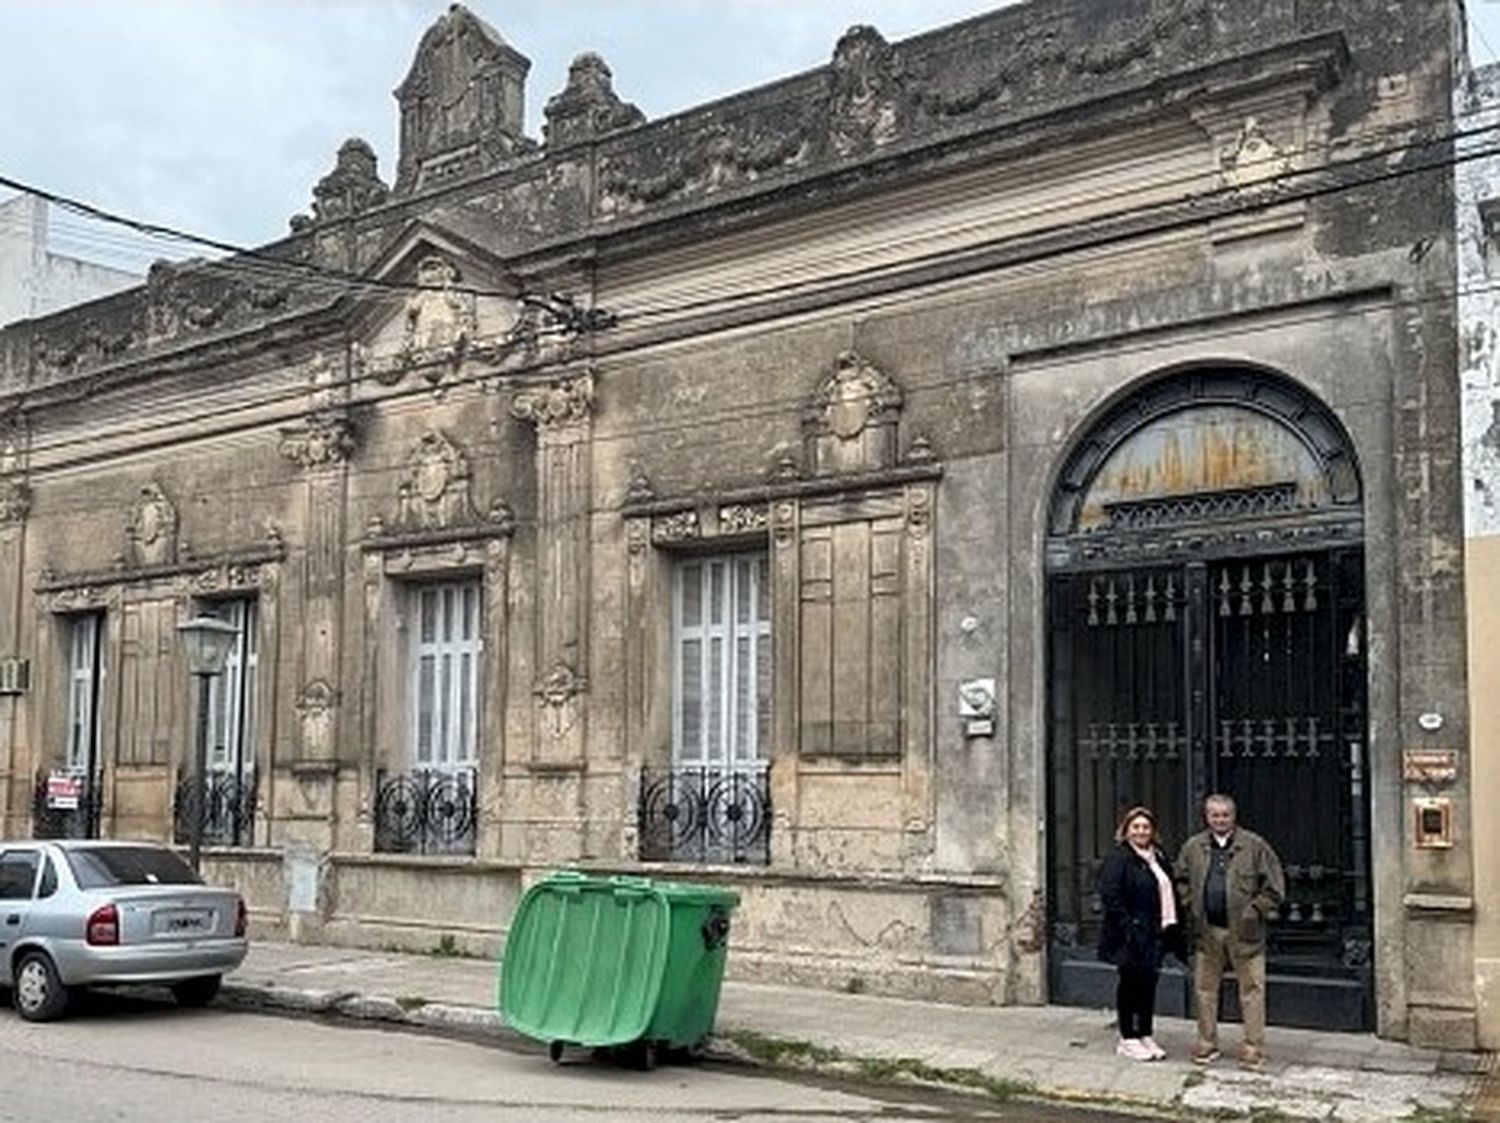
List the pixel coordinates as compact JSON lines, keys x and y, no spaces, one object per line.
{"x":722,"y":662}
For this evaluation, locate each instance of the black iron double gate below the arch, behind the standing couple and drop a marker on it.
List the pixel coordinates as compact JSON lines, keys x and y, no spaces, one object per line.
{"x":1241,"y":675}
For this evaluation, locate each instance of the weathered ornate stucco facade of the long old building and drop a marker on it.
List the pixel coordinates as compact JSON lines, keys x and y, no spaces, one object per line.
{"x":853,"y":491}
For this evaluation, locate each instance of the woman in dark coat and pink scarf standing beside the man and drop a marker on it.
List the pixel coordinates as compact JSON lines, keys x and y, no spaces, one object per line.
{"x":1141,"y":926}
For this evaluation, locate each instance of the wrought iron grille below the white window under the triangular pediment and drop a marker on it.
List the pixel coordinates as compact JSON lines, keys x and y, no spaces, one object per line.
{"x":427,"y":812}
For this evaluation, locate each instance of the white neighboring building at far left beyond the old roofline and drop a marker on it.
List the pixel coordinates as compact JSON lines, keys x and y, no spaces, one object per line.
{"x":34,"y":281}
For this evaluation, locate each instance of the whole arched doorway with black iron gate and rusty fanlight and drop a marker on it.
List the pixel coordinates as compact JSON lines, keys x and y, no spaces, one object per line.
{"x":1205,"y":624}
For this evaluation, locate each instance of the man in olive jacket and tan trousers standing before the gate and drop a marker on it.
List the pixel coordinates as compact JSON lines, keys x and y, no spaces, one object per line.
{"x":1232,"y":882}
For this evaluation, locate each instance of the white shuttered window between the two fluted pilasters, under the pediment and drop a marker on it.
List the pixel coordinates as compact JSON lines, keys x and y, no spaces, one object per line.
{"x":445,"y":674}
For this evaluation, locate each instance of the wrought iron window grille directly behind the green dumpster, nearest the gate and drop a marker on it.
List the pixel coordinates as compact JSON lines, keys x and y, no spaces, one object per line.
{"x":706,"y":815}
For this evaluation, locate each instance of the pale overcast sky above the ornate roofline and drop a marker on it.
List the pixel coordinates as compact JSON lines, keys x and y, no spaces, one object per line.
{"x":218,"y":116}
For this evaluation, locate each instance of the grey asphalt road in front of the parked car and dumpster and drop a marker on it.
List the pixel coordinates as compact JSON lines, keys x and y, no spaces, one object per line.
{"x":127,"y":1059}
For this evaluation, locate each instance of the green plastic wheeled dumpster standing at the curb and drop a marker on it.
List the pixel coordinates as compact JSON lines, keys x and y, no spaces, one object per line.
{"x":620,"y":963}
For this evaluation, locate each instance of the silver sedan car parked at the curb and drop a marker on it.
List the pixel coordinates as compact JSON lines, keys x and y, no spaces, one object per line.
{"x":79,"y":914}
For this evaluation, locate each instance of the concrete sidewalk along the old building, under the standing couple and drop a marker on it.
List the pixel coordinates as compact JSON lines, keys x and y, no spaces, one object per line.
{"x":1045,"y":1052}
